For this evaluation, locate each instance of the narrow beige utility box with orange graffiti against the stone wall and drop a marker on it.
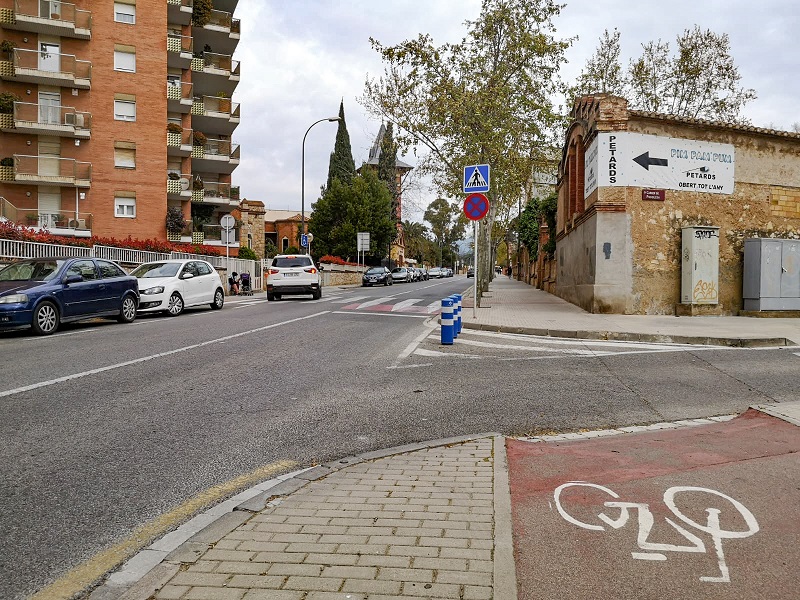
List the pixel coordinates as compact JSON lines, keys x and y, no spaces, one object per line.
{"x":700,"y":265}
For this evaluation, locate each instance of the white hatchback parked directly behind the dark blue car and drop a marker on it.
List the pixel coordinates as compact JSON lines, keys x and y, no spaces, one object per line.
{"x":172,"y":285}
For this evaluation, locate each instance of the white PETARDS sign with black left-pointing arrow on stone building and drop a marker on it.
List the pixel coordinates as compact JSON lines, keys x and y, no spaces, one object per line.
{"x":650,"y":161}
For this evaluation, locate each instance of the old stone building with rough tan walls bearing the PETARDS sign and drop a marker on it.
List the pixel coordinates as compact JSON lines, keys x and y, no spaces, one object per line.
{"x":629,"y":181}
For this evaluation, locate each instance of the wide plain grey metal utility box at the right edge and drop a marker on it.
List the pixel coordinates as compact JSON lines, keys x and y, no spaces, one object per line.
{"x":771,"y":274}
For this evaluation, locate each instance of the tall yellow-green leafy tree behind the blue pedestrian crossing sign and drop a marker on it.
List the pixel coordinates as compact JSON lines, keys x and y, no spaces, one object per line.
{"x":486,"y":99}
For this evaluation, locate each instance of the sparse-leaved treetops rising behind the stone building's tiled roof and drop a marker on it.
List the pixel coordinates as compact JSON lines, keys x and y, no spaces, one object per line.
{"x":701,"y":81}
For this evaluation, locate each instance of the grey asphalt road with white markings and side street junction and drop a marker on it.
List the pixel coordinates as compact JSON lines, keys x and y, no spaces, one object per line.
{"x":106,"y":427}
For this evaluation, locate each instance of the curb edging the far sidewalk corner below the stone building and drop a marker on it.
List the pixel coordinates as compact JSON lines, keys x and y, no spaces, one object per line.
{"x":635,"y":337}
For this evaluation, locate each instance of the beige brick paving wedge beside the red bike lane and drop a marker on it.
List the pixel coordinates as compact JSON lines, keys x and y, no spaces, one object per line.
{"x":413,"y":525}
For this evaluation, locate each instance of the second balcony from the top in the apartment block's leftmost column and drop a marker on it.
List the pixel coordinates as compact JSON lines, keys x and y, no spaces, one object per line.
{"x":47,"y":68}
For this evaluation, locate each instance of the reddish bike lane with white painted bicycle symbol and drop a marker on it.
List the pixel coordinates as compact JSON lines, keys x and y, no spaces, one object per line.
{"x":710,"y":512}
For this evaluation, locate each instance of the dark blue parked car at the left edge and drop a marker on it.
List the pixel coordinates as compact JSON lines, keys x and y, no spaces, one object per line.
{"x":42,"y":293}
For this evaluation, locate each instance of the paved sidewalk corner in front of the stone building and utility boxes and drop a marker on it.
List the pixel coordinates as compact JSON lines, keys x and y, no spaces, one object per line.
{"x":516,"y":307}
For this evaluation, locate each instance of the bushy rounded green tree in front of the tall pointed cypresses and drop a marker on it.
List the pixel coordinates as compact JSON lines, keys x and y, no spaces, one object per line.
{"x":345,"y":209}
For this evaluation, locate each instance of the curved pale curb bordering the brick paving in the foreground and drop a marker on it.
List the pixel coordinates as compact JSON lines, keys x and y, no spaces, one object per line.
{"x":141,"y":583}
